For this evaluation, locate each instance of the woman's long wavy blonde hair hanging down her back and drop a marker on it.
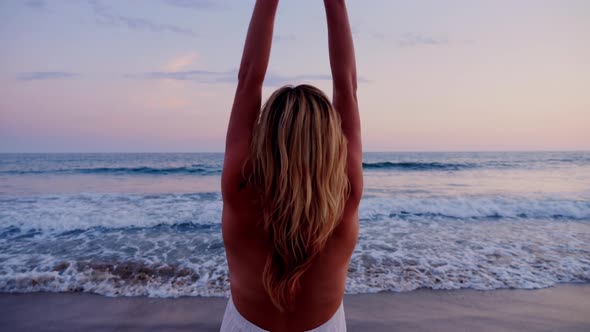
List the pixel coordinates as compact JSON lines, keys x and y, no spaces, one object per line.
{"x":298,"y":159}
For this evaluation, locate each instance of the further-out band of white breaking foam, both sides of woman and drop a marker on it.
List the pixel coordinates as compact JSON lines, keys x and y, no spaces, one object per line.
{"x":61,"y":213}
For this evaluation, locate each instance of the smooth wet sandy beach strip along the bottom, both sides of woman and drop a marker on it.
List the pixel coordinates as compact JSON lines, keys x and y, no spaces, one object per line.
{"x":561,"y":308}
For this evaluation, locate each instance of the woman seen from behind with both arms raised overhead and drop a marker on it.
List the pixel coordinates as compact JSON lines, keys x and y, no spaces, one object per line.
{"x":291,"y":184}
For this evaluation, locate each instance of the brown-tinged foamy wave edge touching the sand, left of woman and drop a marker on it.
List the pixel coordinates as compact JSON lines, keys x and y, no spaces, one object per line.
{"x":117,"y":278}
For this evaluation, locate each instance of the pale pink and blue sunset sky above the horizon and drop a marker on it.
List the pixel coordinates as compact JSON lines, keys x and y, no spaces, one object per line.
{"x":159,"y":75}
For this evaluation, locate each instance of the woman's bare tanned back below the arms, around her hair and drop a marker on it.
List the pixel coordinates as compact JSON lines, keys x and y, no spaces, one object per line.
{"x":322,"y":286}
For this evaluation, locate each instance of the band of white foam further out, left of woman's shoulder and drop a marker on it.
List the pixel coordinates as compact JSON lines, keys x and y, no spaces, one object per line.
{"x":83,"y":211}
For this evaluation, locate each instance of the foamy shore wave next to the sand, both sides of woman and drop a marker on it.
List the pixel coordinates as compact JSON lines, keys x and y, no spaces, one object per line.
{"x":395,"y":256}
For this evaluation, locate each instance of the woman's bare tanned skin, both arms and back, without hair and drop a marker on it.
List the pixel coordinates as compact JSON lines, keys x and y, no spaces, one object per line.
{"x":322,"y":287}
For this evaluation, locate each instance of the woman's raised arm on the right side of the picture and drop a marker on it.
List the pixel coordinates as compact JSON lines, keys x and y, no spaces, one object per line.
{"x":343,"y":64}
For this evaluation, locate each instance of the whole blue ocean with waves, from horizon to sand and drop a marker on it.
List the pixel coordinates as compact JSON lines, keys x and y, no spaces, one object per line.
{"x":149,"y":224}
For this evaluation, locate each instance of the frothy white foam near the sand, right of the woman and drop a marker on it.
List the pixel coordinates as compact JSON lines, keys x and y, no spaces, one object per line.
{"x":396,"y":255}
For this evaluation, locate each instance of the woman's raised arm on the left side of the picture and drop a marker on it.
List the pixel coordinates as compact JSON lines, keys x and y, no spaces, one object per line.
{"x":247,"y":100}
